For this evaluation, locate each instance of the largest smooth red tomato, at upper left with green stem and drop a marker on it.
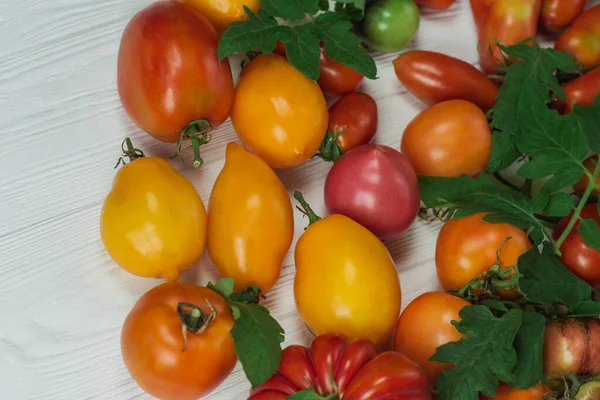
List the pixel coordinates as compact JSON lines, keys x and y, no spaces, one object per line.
{"x":168,"y":71}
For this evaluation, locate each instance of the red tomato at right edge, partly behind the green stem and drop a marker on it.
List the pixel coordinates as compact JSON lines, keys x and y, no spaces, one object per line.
{"x":581,"y":259}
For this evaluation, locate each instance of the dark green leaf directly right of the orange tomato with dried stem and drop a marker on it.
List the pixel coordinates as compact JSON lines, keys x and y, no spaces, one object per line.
{"x":543,"y":279}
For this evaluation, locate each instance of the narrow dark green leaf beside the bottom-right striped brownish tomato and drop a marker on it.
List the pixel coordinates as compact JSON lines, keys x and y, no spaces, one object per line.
{"x":529,"y":344}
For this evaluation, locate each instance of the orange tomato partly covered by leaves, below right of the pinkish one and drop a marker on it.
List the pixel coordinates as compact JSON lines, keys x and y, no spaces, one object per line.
{"x":467,"y":247}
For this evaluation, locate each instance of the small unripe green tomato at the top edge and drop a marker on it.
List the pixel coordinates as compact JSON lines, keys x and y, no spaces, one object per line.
{"x":390,"y":24}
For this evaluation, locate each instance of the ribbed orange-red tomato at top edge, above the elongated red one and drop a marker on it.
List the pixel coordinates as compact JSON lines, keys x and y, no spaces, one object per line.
{"x":509,"y":21}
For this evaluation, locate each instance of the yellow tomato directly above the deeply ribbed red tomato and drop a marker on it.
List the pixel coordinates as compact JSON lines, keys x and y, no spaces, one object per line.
{"x":346,"y":281}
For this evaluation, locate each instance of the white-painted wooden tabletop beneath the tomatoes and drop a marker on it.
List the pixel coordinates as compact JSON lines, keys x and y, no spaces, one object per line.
{"x":62,"y":299}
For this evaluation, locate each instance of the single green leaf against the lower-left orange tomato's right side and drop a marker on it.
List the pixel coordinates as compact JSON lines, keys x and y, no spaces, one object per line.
{"x":257,"y":337}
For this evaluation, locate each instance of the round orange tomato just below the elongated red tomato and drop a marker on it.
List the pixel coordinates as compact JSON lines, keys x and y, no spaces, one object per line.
{"x":448,"y":139}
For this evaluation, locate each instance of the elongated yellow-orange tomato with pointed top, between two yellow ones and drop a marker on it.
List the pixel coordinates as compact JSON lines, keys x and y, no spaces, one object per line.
{"x":250,"y":221}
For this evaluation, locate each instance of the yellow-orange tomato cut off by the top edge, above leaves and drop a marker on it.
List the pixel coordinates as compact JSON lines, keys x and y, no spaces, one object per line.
{"x":223,"y":12}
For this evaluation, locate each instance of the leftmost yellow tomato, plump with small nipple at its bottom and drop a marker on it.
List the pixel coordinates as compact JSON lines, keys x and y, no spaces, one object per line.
{"x":153,"y":222}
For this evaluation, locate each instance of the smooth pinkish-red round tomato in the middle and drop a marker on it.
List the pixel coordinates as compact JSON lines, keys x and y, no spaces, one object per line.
{"x":375,"y":186}
